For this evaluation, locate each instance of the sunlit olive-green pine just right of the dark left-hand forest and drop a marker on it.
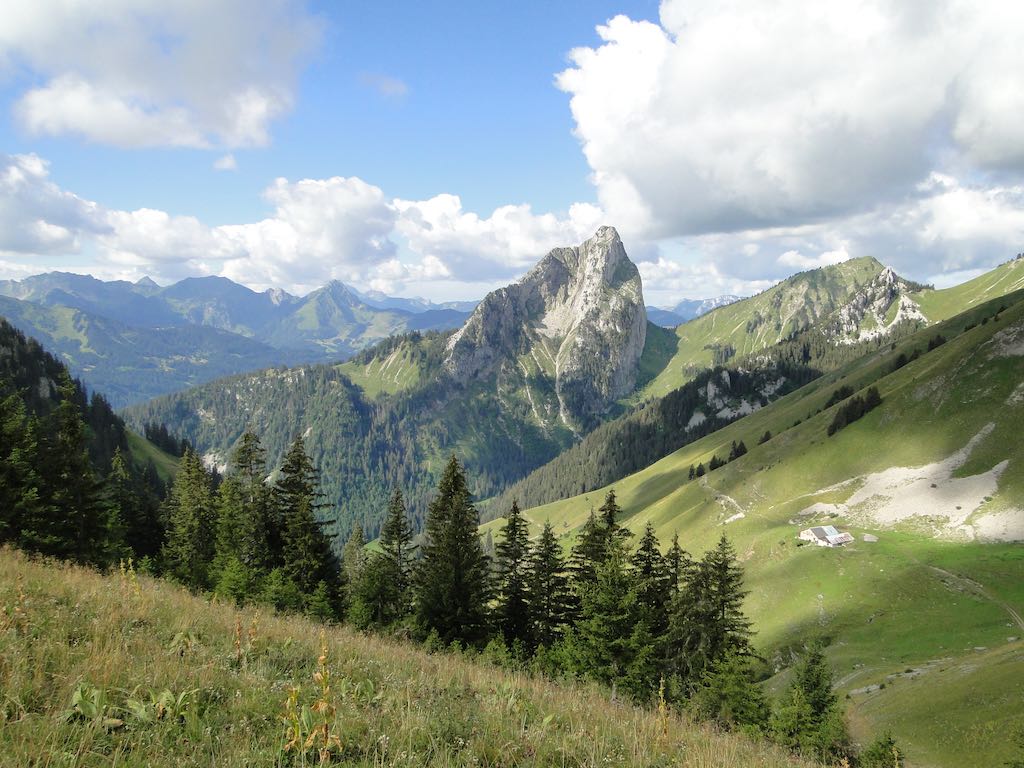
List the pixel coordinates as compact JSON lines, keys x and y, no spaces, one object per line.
{"x":189,"y":550}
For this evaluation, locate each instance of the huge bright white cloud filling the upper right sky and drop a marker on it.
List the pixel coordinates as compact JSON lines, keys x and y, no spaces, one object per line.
{"x":731,"y":117}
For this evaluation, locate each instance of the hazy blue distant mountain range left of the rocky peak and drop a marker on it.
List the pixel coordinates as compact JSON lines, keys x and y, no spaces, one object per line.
{"x":135,"y":342}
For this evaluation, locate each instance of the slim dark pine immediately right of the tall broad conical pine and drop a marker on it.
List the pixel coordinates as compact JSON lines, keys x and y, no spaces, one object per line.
{"x":511,"y":560}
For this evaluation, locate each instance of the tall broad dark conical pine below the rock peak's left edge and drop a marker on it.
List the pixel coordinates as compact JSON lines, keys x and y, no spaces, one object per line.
{"x":453,"y":580}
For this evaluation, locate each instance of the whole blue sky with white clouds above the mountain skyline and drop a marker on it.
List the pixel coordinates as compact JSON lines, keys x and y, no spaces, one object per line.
{"x":440,"y":150}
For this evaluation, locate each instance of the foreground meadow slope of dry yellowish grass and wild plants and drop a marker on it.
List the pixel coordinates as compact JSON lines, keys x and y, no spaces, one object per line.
{"x":121,"y":671}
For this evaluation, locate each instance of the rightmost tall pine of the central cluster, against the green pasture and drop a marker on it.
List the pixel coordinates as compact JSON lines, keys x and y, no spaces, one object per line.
{"x":707,"y":622}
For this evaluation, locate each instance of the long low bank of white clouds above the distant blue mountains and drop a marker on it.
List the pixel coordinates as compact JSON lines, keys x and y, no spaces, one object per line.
{"x":318,"y":230}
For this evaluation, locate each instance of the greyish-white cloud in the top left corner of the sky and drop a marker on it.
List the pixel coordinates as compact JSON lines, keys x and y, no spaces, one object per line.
{"x":144,"y":73}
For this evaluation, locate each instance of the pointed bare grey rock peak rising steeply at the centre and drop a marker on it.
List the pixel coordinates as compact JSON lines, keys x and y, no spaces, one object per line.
{"x":576,"y":320}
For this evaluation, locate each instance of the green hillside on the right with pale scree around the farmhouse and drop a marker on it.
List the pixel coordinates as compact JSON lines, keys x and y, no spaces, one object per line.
{"x":931,"y":612}
